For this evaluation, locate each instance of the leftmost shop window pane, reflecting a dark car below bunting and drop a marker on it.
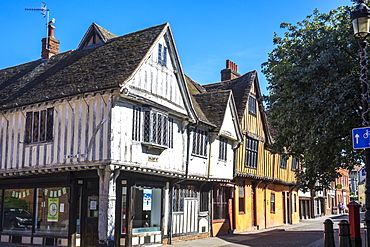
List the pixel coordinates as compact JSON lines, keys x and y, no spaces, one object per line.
{"x":18,"y":210}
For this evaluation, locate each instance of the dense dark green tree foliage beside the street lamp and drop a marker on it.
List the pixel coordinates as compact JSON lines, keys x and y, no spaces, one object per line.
{"x":314,"y":94}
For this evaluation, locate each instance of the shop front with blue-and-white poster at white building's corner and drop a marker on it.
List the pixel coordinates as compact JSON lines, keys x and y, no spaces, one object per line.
{"x":141,"y":212}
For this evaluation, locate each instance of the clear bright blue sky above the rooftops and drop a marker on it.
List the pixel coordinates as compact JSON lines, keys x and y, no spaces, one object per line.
{"x":206,"y":32}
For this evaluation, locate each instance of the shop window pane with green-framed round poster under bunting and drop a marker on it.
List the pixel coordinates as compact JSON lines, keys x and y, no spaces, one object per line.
{"x":53,"y":209}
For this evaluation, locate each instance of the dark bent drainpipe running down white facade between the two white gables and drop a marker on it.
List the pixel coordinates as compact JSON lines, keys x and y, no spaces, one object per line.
{"x":173,"y":183}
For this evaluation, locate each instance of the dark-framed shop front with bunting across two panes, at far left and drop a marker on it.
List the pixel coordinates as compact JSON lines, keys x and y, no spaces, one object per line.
{"x":35,"y":213}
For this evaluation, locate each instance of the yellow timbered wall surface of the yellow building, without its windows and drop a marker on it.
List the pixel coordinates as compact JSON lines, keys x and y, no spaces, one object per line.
{"x":269,"y":178}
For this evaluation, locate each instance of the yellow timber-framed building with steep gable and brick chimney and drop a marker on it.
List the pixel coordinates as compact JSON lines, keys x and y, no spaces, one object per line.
{"x":264,"y":193}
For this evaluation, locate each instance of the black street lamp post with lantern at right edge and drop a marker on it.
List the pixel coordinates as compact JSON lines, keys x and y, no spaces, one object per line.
{"x":360,"y":18}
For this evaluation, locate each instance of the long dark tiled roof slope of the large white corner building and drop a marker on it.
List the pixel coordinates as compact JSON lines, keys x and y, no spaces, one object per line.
{"x":75,"y":72}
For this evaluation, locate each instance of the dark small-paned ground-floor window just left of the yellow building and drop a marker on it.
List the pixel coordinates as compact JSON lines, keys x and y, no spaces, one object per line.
{"x":220,"y":202}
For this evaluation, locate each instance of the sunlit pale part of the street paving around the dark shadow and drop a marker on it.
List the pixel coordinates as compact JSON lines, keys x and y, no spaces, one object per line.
{"x":239,"y":239}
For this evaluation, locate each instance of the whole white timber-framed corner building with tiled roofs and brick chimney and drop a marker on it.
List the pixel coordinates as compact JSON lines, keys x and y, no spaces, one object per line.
{"x":105,"y":146}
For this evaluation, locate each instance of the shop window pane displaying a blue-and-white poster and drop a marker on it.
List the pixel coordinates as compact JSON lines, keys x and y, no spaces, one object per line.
{"x":148,"y":205}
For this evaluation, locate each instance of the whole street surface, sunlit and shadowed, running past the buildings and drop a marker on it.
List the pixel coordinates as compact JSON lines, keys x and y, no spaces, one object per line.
{"x":307,"y":233}
